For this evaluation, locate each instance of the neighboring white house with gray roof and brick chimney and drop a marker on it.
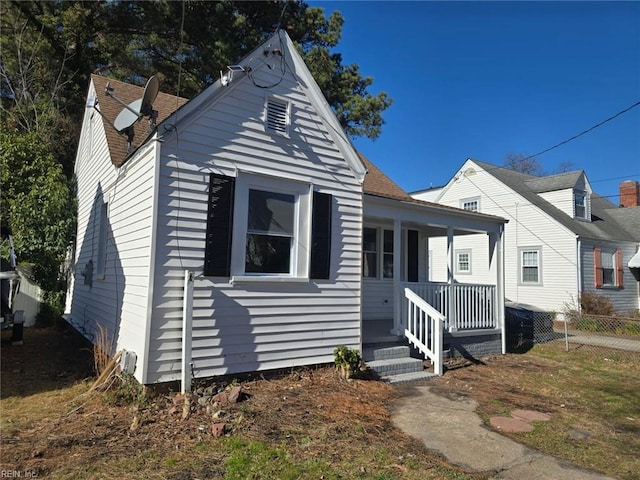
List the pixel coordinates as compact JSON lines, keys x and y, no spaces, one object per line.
{"x":562,"y":238}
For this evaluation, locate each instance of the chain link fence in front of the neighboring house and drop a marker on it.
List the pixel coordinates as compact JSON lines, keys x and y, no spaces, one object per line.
{"x":612,"y":337}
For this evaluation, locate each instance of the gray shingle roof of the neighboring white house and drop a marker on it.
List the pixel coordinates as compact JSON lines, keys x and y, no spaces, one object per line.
{"x":607,"y":223}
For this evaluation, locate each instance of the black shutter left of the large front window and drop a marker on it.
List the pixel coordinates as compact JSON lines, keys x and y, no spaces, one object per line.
{"x":217,"y":253}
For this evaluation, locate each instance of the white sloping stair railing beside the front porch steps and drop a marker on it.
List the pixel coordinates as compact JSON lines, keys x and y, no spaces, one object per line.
{"x":424,"y":328}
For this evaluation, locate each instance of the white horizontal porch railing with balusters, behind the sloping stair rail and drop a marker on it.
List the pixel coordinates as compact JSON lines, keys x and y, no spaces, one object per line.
{"x":473,"y":307}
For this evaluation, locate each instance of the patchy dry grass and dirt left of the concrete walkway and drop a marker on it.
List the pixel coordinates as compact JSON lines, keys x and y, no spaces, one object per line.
{"x":305,"y":424}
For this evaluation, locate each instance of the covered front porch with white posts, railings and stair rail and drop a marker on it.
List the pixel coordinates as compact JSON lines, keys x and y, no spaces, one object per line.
{"x":432,"y":278}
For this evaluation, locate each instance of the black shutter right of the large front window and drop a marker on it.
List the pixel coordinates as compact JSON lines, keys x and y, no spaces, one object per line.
{"x":321,"y":236}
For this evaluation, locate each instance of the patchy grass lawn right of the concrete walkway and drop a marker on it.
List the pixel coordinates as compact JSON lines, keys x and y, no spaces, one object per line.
{"x":593,"y":400}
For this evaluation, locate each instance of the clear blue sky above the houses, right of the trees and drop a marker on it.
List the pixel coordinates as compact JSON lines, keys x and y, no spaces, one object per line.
{"x":483,"y":79}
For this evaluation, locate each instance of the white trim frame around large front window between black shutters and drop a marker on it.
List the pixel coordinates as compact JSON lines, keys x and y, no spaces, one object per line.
{"x":300,"y":259}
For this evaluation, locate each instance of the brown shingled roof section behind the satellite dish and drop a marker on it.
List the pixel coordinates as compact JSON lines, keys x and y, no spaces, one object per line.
{"x":109,"y":109}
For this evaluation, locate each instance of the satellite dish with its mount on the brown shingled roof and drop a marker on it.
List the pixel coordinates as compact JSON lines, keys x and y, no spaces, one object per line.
{"x":134,"y":111}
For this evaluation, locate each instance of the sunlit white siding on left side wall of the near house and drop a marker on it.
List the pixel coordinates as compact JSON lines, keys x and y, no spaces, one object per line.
{"x":118,"y":301}
